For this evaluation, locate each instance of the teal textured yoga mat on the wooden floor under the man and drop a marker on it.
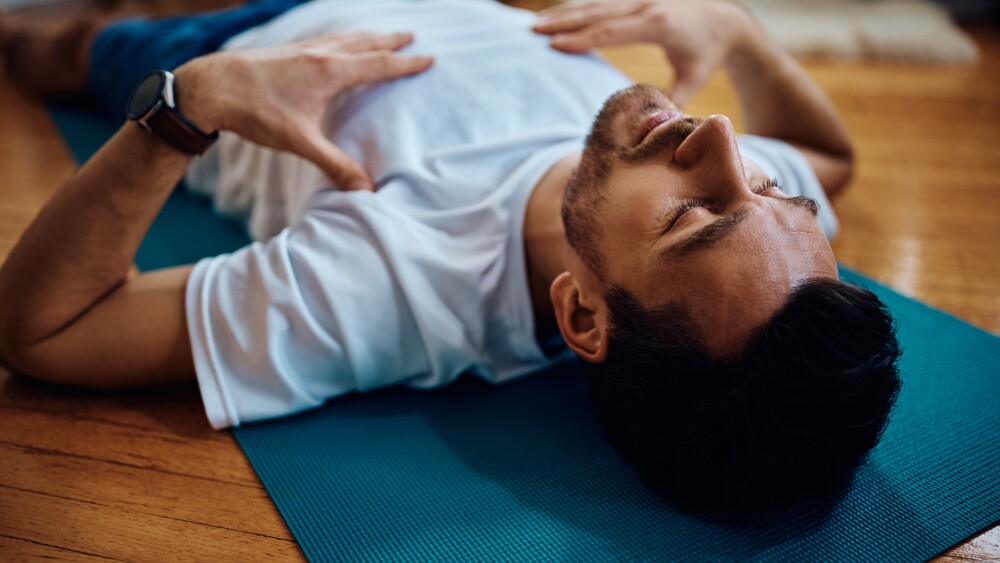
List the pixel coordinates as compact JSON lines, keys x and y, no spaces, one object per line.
{"x":521,"y":472}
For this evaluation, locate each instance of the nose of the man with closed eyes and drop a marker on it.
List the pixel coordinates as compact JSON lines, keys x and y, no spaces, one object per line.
{"x":712,"y":158}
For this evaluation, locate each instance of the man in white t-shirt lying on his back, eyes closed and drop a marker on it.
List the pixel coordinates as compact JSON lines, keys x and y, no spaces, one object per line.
{"x":462,"y":216}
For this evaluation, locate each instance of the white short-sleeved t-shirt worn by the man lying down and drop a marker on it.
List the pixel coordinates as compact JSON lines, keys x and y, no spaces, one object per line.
{"x":425,"y":279}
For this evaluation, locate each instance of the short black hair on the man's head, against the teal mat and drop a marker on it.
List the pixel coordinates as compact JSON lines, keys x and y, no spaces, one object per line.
{"x":794,"y":415}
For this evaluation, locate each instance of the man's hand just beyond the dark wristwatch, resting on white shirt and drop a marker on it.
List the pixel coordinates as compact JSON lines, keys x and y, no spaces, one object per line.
{"x":276,"y":96}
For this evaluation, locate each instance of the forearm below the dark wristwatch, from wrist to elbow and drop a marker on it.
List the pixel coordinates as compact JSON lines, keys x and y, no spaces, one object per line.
{"x":80,"y":246}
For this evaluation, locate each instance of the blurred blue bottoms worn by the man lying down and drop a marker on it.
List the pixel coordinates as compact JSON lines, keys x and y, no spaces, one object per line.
{"x":126,"y":50}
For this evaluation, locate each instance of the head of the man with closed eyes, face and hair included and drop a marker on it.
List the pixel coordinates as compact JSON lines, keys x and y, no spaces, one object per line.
{"x":728,"y":363}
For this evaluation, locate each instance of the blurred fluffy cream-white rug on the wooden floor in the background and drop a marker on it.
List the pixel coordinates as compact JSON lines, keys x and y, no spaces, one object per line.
{"x":911,"y":30}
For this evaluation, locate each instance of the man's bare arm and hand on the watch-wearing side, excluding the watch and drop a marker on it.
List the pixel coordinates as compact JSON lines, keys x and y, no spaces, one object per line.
{"x":69,"y":313}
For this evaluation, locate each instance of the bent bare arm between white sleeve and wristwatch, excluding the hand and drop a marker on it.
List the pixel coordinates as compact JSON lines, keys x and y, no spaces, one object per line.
{"x":68,"y":309}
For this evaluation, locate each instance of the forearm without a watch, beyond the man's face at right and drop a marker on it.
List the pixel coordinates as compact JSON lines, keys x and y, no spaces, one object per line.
{"x":778,"y":98}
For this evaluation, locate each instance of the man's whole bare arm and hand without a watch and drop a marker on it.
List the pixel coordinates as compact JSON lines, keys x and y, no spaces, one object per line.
{"x":778,"y":98}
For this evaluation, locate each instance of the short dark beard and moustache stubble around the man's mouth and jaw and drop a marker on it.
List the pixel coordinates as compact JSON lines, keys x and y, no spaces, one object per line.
{"x":615,"y":138}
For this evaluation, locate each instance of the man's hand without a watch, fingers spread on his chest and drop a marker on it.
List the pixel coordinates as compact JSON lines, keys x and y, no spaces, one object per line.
{"x":697,"y":36}
